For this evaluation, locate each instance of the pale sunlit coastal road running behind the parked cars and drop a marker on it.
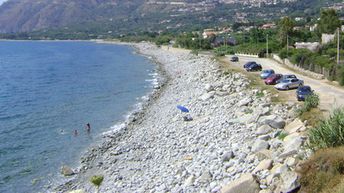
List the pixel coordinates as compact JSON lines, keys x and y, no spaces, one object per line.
{"x":330,"y":96}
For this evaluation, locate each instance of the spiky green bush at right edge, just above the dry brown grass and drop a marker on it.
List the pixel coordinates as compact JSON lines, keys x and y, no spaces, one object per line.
{"x":329,"y":133}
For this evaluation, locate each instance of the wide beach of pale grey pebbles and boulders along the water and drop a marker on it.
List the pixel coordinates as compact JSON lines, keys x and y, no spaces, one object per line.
{"x":237,"y":141}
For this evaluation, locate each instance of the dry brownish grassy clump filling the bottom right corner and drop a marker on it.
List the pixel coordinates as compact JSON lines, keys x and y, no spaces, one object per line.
{"x":323,"y":172}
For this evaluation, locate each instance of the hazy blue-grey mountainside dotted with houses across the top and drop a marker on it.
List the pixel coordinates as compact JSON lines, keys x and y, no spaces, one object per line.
{"x":120,"y":16}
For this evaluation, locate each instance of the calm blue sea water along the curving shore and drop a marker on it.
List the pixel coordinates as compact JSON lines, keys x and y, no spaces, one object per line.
{"x":50,"y":89}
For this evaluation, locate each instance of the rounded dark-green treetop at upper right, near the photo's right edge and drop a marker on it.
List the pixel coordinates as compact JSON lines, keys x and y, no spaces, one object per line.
{"x":328,"y":22}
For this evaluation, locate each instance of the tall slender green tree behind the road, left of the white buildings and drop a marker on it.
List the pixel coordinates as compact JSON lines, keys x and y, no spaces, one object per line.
{"x":285,"y":29}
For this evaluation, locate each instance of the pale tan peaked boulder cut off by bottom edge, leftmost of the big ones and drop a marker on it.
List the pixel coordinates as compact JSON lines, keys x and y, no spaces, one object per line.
{"x":245,"y":184}
